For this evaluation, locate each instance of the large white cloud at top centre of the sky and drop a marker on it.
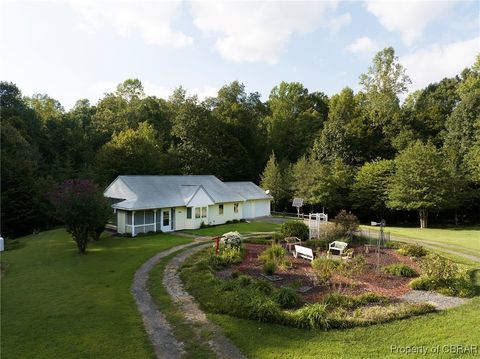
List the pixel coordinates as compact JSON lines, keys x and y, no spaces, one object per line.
{"x":257,"y":31}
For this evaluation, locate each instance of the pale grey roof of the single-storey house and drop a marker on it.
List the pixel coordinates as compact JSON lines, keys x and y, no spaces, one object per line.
{"x":147,"y":192}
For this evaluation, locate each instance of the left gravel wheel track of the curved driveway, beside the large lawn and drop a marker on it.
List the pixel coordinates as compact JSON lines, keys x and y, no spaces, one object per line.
{"x":156,"y":325}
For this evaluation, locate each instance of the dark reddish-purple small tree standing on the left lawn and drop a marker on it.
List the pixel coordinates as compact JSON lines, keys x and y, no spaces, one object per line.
{"x":80,"y":204}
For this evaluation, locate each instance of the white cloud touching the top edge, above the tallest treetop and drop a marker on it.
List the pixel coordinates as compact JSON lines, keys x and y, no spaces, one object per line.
{"x":407,"y":17}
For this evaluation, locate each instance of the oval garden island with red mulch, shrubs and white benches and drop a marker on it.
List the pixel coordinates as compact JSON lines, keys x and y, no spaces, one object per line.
{"x":265,"y":281}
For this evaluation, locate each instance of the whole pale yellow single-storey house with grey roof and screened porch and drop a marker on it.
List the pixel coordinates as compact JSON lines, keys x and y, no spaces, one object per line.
{"x":171,"y":203}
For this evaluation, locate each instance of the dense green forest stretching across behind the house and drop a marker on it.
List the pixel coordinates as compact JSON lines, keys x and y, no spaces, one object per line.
{"x":367,"y":152}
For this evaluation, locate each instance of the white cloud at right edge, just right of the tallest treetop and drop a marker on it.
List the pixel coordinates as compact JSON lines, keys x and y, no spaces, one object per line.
{"x":436,"y":62}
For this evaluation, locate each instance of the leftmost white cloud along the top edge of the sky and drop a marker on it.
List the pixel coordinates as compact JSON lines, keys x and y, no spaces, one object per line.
{"x":151,"y":19}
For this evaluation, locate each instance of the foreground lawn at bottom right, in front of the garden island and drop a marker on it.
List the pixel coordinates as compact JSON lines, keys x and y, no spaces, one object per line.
{"x":452,"y":327}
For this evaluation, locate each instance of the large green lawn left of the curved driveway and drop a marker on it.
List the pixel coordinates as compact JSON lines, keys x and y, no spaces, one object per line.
{"x":59,"y":304}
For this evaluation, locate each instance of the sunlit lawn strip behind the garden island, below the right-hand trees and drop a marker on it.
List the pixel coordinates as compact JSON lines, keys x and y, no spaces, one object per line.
{"x":465,"y":237}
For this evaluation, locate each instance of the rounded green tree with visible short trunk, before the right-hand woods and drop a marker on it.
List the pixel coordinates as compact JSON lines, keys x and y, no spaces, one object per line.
{"x":421,"y":182}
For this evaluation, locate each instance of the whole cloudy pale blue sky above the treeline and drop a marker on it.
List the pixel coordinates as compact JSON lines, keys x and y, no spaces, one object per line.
{"x":75,"y":49}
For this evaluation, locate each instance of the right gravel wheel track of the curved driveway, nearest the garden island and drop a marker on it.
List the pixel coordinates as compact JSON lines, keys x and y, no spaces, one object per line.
{"x":219,"y":343}
